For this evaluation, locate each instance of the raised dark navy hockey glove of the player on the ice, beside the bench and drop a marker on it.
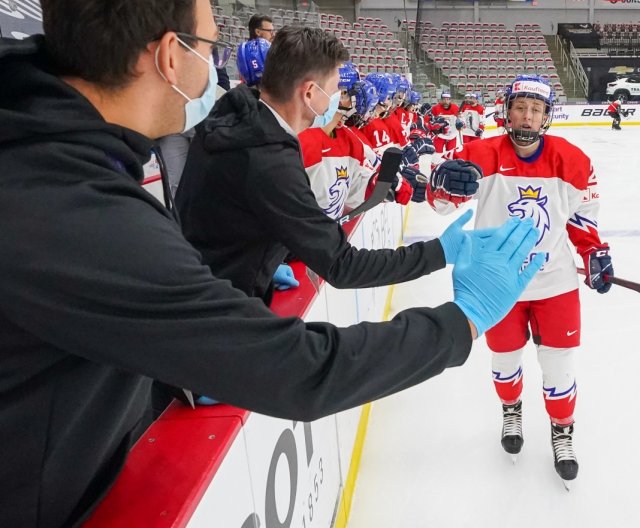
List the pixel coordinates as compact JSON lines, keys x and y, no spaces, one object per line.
{"x":455,"y":178}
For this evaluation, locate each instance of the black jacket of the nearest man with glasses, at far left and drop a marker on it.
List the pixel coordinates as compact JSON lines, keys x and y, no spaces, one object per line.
{"x":100,"y":293}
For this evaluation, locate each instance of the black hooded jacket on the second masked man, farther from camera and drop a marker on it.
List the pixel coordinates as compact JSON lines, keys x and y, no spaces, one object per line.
{"x":245,"y":201}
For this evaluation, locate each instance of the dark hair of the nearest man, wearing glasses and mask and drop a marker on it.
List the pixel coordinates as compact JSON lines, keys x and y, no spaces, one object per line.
{"x":100,"y":40}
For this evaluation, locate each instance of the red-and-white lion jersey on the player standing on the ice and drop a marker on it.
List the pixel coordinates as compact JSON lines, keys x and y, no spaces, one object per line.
{"x":557,"y":187}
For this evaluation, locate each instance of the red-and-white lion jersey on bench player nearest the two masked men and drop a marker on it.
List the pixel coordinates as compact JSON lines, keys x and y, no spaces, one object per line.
{"x":339,"y":168}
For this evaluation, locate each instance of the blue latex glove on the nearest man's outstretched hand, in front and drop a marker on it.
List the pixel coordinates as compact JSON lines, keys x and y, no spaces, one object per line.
{"x":487,"y":278}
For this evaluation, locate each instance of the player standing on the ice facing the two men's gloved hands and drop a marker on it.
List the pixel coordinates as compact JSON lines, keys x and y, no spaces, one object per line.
{"x":530,"y":174}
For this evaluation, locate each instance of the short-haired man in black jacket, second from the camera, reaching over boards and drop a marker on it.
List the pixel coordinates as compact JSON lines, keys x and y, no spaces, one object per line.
{"x":245,"y":200}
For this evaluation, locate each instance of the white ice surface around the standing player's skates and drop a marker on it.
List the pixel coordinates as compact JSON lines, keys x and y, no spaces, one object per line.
{"x":432,"y":456}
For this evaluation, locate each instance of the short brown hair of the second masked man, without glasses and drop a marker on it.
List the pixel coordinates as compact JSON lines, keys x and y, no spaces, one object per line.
{"x":298,"y":53}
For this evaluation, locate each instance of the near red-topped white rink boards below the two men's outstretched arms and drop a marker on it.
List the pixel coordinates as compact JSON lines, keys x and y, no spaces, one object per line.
{"x":223,"y":466}
